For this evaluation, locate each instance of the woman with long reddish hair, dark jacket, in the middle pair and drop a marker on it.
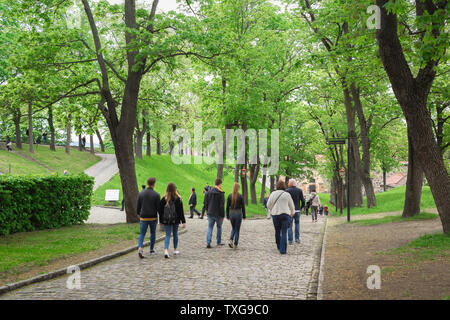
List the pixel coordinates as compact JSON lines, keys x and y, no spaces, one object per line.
{"x":235,"y":213}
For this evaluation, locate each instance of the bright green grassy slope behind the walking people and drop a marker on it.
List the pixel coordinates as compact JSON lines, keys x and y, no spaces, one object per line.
{"x":185,"y":176}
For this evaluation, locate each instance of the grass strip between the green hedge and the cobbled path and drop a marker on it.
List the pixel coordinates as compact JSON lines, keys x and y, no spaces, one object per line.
{"x":37,"y":248}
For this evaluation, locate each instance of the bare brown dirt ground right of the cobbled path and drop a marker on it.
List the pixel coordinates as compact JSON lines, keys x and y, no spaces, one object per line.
{"x":350,"y":249}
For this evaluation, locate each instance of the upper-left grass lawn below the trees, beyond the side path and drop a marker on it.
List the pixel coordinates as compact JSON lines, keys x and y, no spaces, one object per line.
{"x":59,"y":160}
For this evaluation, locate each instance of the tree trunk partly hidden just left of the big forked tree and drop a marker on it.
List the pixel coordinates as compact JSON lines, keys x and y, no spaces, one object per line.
{"x":414,"y":183}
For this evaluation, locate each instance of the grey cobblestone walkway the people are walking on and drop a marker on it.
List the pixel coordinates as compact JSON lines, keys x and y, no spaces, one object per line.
{"x":253,"y":271}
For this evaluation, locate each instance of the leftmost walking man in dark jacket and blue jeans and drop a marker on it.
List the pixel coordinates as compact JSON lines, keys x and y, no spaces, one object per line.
{"x":147,"y":209}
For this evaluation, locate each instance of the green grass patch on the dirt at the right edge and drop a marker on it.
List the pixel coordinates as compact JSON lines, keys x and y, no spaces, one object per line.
{"x":427,"y":247}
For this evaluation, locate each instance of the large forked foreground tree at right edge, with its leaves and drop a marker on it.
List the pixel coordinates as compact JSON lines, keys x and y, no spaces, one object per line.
{"x":412,"y":91}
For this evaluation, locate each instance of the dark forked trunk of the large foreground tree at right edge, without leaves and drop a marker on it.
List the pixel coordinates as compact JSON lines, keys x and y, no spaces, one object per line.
{"x":412,"y":94}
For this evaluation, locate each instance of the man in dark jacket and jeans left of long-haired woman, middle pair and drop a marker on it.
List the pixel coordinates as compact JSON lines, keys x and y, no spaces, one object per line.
{"x":215,"y":208}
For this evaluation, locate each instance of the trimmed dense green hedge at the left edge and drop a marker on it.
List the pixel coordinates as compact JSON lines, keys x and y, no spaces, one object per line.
{"x":43,"y":202}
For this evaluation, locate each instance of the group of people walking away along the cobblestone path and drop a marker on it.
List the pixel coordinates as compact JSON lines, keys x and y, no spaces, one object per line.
{"x":283,"y":205}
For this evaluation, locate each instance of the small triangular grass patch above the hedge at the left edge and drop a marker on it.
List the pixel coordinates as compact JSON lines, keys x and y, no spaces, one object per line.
{"x":19,"y":165}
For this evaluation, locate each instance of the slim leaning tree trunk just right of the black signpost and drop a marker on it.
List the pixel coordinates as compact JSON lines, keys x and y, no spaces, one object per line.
{"x":365,"y":143}
